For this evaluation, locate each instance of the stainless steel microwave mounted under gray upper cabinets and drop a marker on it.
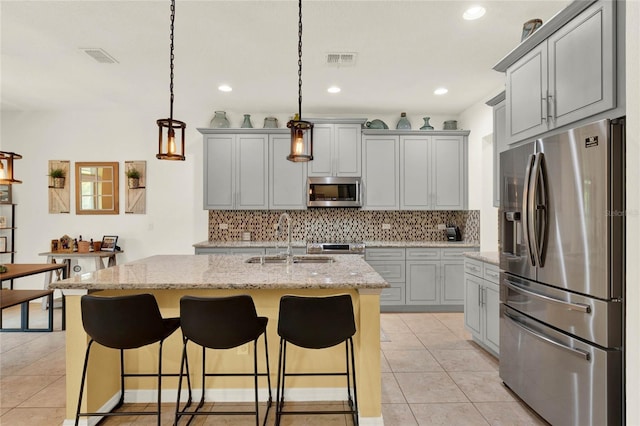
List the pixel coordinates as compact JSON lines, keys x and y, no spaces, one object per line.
{"x":334,"y":192}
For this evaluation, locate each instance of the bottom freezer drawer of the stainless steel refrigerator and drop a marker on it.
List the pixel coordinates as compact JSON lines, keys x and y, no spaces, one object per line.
{"x":565,"y":380}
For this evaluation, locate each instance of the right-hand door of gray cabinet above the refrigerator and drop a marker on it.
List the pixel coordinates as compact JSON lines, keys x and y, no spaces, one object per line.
{"x":581,"y":65}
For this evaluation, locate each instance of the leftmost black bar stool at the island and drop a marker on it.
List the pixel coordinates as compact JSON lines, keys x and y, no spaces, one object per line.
{"x":125,"y":322}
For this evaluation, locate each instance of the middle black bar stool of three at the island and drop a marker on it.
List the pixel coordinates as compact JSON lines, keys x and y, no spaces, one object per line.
{"x":222,"y":323}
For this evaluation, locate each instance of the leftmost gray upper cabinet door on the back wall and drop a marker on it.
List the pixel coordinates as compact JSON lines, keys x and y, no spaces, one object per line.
{"x":219,"y":182}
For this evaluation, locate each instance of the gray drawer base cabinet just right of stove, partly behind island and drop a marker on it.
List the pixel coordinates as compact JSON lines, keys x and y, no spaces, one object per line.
{"x":390,"y":264}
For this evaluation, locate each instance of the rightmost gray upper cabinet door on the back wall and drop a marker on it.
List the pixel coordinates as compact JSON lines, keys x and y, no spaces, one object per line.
{"x":449,"y":168}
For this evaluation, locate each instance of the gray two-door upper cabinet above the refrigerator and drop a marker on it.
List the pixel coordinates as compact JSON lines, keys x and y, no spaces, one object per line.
{"x":567,"y":77}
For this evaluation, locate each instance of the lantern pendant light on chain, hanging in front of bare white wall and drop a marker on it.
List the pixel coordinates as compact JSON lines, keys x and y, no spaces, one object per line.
{"x":171,"y":149}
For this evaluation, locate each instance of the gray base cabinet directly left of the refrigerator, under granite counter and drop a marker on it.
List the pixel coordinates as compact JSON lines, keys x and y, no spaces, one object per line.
{"x":482,"y":303}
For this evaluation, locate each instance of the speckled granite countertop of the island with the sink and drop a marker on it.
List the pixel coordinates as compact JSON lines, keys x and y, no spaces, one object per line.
{"x":227,"y":272}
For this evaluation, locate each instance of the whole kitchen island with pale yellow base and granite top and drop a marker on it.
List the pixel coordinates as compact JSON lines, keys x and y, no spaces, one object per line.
{"x":170,"y":277}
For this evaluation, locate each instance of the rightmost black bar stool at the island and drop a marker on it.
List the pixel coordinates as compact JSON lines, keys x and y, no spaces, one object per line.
{"x":317,"y":323}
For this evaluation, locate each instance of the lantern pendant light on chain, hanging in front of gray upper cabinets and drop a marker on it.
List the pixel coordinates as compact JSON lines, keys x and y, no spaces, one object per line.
{"x":301,"y":131}
